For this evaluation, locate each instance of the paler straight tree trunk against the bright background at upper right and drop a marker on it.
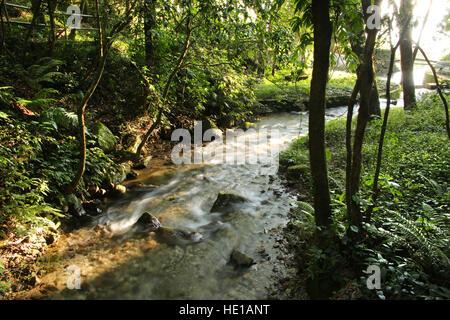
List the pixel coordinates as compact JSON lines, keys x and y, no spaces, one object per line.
{"x":407,"y":61}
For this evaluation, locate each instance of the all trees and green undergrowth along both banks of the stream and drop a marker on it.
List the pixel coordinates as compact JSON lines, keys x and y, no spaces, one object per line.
{"x":81,"y":107}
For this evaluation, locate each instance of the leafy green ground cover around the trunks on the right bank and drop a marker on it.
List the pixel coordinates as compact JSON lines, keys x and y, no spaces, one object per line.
{"x":408,"y":232}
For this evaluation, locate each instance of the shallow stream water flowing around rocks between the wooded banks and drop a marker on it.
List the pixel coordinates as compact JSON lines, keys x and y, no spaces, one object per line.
{"x":133,"y":265}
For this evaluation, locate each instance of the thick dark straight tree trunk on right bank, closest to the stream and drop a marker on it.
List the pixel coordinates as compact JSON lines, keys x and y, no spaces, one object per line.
{"x":322,"y":44}
